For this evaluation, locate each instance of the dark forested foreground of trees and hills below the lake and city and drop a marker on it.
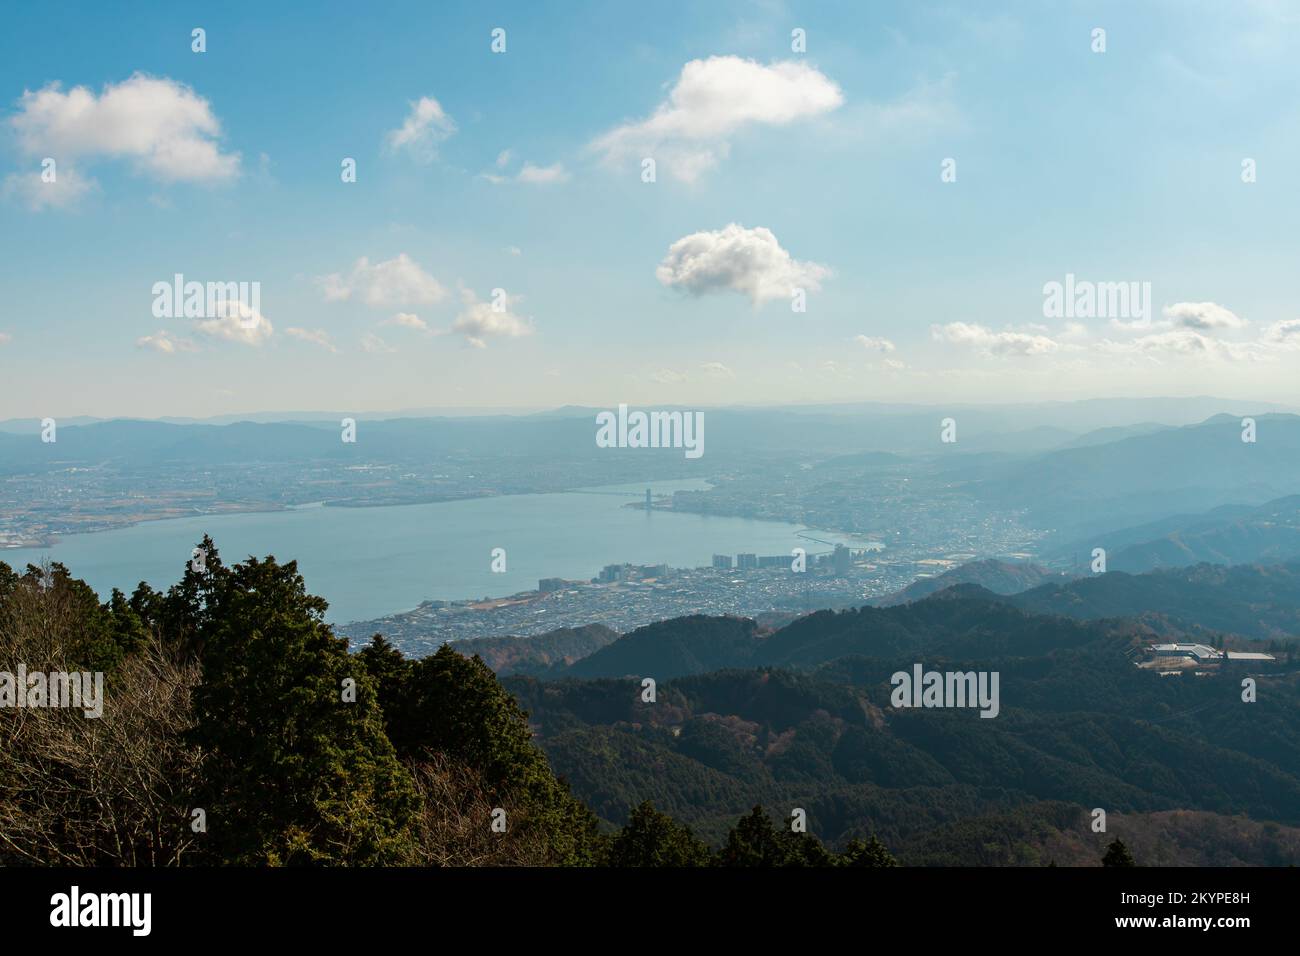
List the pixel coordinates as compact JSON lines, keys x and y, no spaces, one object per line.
{"x":231,"y":694}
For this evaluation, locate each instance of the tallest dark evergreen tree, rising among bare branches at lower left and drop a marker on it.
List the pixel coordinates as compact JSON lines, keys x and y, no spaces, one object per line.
{"x":298,"y":768}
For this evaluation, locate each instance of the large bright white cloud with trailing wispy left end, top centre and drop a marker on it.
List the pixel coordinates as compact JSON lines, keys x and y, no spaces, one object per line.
{"x":690,"y":132}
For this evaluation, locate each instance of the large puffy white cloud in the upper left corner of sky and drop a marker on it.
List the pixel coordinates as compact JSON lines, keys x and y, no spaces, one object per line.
{"x":163,"y":127}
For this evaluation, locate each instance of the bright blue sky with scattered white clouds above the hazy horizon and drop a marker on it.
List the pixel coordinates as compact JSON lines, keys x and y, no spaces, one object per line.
{"x":226,"y":166}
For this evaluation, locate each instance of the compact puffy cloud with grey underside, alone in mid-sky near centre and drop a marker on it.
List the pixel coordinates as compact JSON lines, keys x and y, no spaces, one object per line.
{"x":746,"y":261}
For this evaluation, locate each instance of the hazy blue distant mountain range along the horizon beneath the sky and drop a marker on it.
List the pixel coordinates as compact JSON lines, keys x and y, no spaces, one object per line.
{"x":1032,"y":429}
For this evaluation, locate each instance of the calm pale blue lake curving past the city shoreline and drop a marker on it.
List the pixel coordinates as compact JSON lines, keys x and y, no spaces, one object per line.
{"x":374,"y":561}
